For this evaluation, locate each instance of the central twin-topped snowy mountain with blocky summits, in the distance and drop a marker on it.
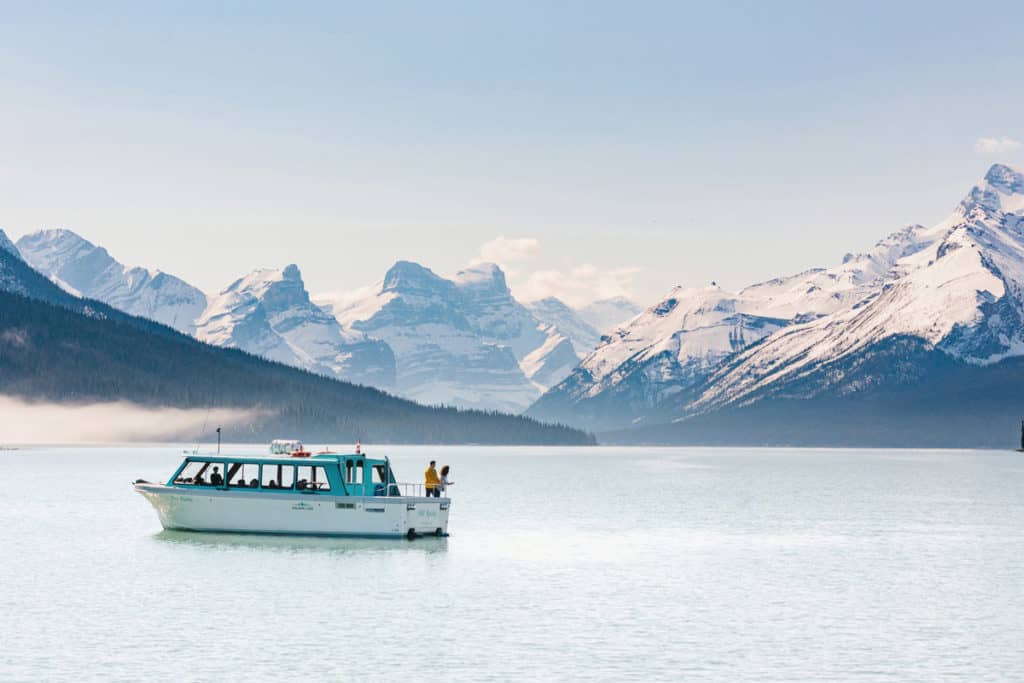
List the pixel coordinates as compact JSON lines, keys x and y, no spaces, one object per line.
{"x":464,"y":341}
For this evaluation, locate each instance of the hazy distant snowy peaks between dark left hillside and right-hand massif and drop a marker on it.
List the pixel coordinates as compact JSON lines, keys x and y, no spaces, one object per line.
{"x":464,"y":343}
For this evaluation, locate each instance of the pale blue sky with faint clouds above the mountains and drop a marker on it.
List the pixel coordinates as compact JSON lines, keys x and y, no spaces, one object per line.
{"x":660,"y":144}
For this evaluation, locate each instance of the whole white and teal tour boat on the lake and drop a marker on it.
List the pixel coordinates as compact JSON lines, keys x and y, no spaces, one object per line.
{"x":326,"y":494}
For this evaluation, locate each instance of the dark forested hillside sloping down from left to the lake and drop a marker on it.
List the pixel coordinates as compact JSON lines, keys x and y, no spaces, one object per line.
{"x":71,"y":351}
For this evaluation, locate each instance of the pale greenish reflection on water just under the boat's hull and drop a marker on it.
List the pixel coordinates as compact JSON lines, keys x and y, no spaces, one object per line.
{"x":303,"y":544}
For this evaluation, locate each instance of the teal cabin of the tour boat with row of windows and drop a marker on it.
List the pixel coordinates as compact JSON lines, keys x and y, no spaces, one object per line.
{"x":324,"y":474}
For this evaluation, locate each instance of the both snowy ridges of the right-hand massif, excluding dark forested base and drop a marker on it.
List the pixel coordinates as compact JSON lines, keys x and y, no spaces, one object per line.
{"x":955,"y":287}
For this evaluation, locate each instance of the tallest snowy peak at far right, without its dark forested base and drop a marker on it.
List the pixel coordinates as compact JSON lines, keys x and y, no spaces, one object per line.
{"x":960,"y":290}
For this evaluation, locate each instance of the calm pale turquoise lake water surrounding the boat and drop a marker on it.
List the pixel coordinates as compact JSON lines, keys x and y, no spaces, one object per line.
{"x":564,"y":564}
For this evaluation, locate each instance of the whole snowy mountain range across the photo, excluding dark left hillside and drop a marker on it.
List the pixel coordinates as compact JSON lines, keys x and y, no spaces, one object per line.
{"x":919,"y":341}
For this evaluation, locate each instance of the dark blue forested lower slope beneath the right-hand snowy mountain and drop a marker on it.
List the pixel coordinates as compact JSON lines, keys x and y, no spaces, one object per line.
{"x":927,"y":400}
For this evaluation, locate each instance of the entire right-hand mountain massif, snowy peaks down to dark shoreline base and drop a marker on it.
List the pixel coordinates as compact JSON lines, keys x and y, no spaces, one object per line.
{"x":928,"y":313}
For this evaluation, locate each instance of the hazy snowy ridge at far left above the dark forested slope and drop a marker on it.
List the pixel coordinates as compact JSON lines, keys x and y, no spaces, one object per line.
{"x":86,"y":270}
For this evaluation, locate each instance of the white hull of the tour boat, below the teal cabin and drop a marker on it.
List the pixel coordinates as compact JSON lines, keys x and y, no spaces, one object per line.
{"x":301,"y":515}
